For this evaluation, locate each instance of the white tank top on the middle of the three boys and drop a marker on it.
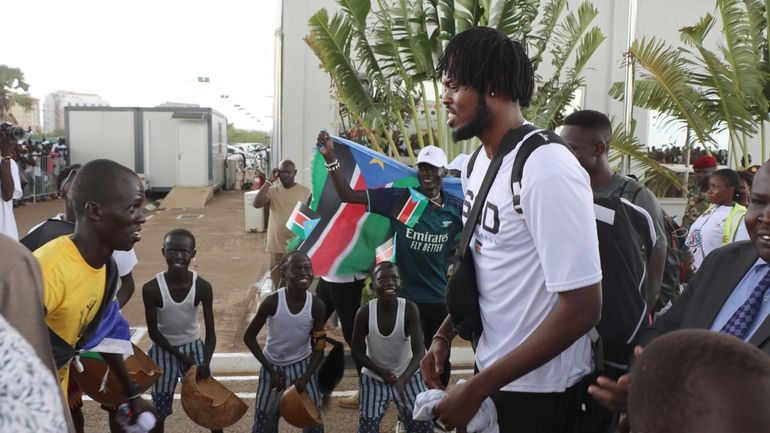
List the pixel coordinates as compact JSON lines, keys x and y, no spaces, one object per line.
{"x":288,"y":335}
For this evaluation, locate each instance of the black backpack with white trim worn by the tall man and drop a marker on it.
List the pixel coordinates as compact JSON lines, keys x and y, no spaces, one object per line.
{"x":626,"y":237}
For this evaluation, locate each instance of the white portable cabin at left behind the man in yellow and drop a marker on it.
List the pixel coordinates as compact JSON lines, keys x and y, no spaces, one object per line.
{"x":171,"y":146}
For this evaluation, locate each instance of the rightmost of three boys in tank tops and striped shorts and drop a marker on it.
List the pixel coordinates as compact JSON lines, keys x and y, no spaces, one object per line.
{"x":388,"y":343}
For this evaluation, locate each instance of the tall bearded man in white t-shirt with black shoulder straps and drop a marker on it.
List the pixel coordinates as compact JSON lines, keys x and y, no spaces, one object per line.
{"x":538,"y":272}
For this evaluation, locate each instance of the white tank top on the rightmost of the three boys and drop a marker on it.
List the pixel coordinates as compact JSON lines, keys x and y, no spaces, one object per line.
{"x":394,"y":351}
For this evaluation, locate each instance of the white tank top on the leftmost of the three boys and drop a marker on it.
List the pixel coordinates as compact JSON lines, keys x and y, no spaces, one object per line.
{"x":178,"y":321}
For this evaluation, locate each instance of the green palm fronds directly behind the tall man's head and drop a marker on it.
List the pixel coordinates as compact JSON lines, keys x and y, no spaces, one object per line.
{"x":383,"y":63}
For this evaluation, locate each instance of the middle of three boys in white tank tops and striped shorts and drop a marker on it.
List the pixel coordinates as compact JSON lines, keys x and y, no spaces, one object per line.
{"x":295,"y":342}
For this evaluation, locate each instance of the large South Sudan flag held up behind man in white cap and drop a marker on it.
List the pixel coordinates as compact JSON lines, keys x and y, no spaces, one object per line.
{"x":346,"y":237}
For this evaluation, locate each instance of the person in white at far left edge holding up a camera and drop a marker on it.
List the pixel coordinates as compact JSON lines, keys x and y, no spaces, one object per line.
{"x":10,"y":185}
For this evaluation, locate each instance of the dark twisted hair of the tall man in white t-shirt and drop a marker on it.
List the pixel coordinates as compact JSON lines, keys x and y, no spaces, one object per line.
{"x":489,"y":61}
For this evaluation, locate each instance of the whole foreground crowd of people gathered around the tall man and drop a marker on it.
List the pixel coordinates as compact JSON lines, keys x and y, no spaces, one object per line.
{"x":534,"y":289}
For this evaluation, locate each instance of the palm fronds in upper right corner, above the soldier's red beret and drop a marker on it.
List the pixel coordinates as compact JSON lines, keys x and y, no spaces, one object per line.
{"x":708,"y":92}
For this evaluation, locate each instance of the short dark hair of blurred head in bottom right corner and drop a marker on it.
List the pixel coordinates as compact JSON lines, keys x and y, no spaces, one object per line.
{"x":683,"y":363}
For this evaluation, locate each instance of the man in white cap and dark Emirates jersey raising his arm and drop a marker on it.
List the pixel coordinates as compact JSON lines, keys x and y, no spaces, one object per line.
{"x":425,"y":222}
